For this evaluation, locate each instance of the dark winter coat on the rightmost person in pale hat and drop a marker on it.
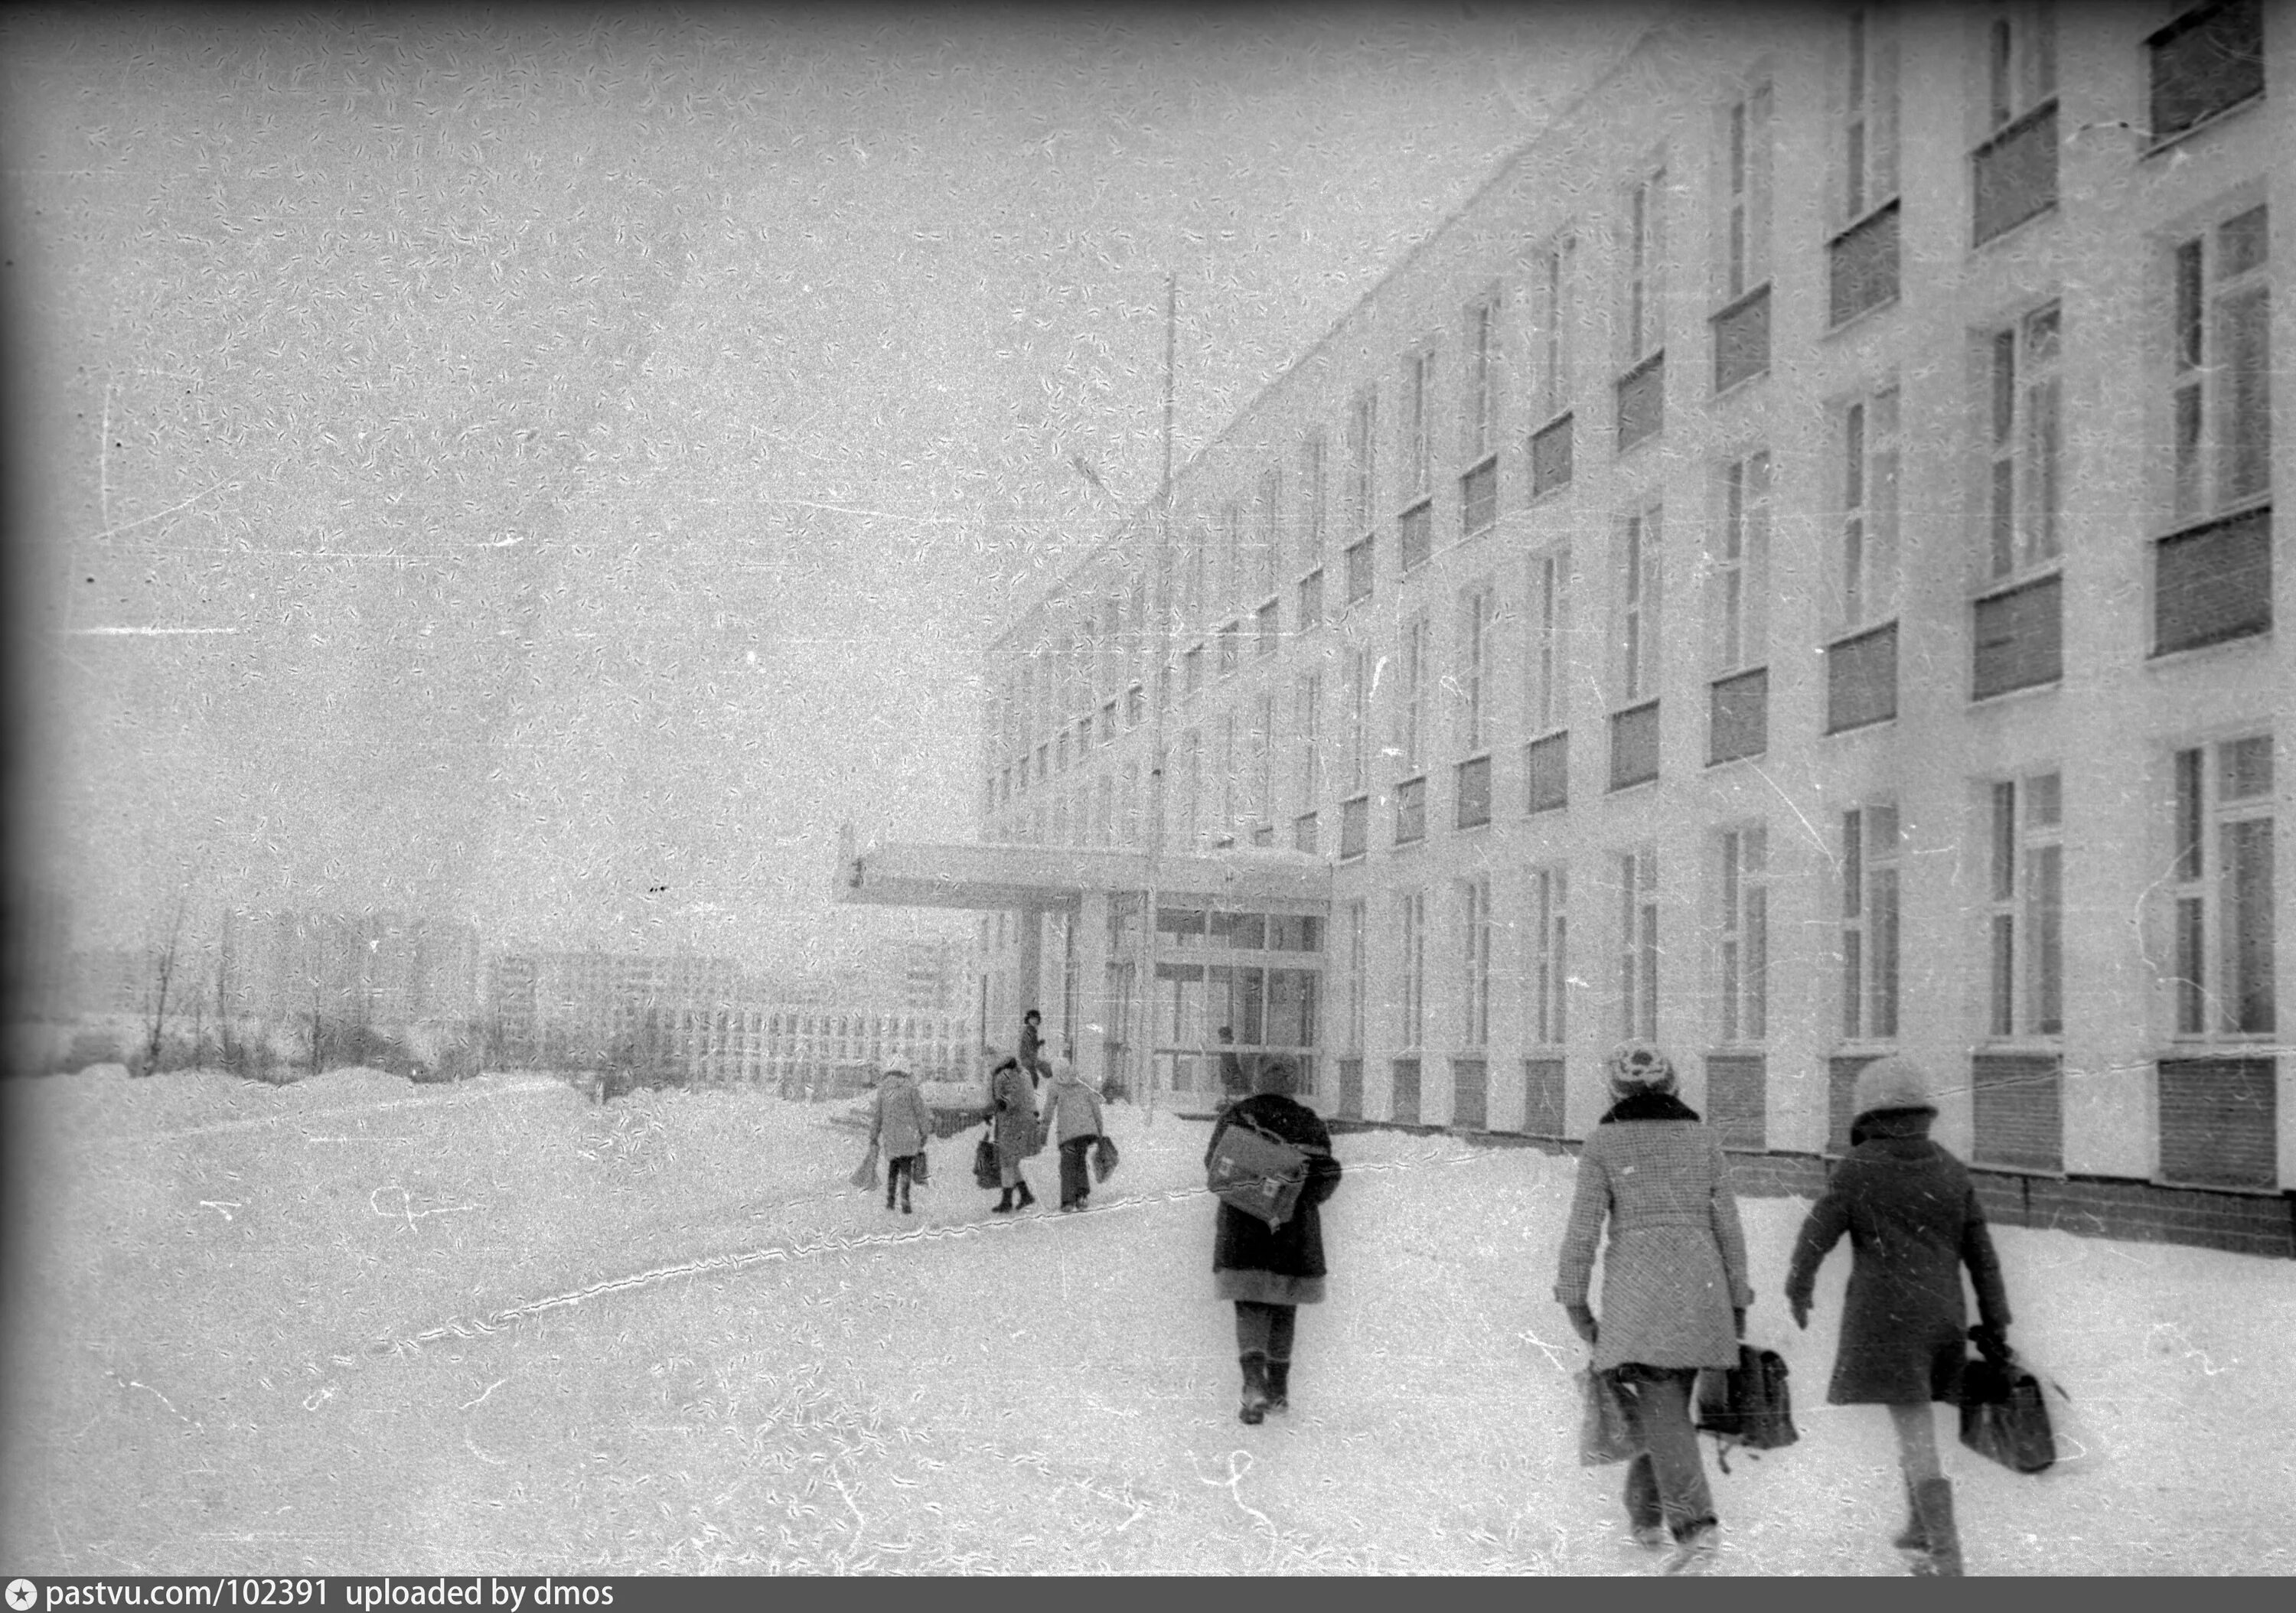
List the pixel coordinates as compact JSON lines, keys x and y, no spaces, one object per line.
{"x":1914,"y":1224}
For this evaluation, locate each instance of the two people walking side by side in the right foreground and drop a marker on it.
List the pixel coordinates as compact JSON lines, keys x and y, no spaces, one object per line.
{"x":1675,"y":1288}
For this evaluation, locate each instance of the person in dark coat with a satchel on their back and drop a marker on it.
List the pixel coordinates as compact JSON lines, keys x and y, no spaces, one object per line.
{"x":1271,"y":1272}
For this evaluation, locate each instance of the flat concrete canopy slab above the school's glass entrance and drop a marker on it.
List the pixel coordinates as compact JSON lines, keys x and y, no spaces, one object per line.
{"x":1018,"y":878}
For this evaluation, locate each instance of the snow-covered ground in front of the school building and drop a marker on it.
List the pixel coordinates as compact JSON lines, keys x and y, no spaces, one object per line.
{"x":366,"y":1327}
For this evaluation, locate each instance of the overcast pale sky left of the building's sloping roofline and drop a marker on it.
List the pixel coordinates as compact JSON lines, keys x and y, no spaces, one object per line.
{"x":550,"y":472}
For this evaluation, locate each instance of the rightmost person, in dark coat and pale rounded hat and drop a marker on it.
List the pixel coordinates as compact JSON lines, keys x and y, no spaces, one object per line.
{"x":1914,"y":1224}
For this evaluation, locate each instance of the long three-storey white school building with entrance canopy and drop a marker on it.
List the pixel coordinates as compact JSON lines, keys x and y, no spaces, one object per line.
{"x":1790,"y":572}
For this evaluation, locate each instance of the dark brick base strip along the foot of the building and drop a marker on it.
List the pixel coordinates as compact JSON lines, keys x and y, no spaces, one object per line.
{"x":2244,"y":1224}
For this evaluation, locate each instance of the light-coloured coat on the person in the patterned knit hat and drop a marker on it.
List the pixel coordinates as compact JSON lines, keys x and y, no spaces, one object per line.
{"x":1677,"y":1254}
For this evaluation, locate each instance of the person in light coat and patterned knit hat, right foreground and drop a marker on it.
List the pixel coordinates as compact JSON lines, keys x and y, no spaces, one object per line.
{"x":1675,"y":1288}
